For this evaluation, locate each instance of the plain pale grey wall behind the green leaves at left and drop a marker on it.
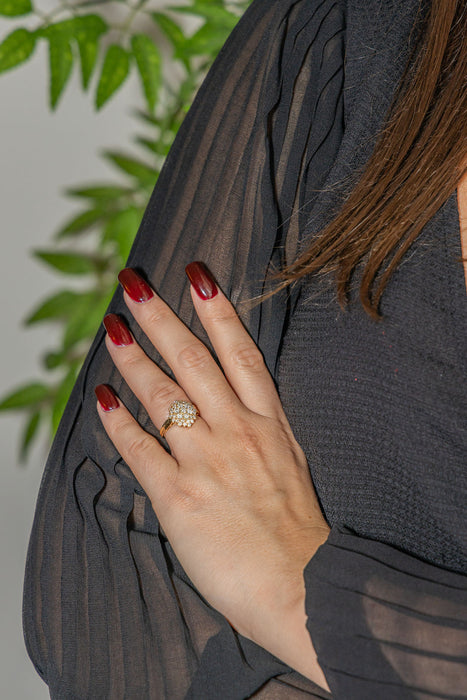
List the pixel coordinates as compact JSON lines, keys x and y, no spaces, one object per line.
{"x":40,"y":154}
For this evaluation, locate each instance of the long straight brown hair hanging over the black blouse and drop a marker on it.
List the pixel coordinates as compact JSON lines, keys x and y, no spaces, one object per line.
{"x":418,"y":159}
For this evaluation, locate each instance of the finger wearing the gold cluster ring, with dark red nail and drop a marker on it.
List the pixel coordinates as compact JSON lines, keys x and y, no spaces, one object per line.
{"x":149,"y":383}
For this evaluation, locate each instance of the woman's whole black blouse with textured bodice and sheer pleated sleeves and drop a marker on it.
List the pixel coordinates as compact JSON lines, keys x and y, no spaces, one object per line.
{"x":286,"y":118}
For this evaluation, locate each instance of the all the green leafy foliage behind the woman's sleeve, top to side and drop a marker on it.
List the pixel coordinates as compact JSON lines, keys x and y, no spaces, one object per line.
{"x":110,"y":212}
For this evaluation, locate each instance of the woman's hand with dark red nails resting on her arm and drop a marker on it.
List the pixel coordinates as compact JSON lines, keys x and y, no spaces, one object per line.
{"x":234,"y":497}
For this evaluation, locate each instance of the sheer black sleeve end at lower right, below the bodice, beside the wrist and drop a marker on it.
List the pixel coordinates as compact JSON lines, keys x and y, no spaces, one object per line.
{"x":385,"y":624}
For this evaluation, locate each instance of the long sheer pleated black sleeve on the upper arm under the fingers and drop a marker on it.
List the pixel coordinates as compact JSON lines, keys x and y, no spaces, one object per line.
{"x":108,"y":610}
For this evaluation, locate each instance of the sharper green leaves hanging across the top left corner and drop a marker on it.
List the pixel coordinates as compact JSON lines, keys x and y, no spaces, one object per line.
{"x":72,"y":33}
